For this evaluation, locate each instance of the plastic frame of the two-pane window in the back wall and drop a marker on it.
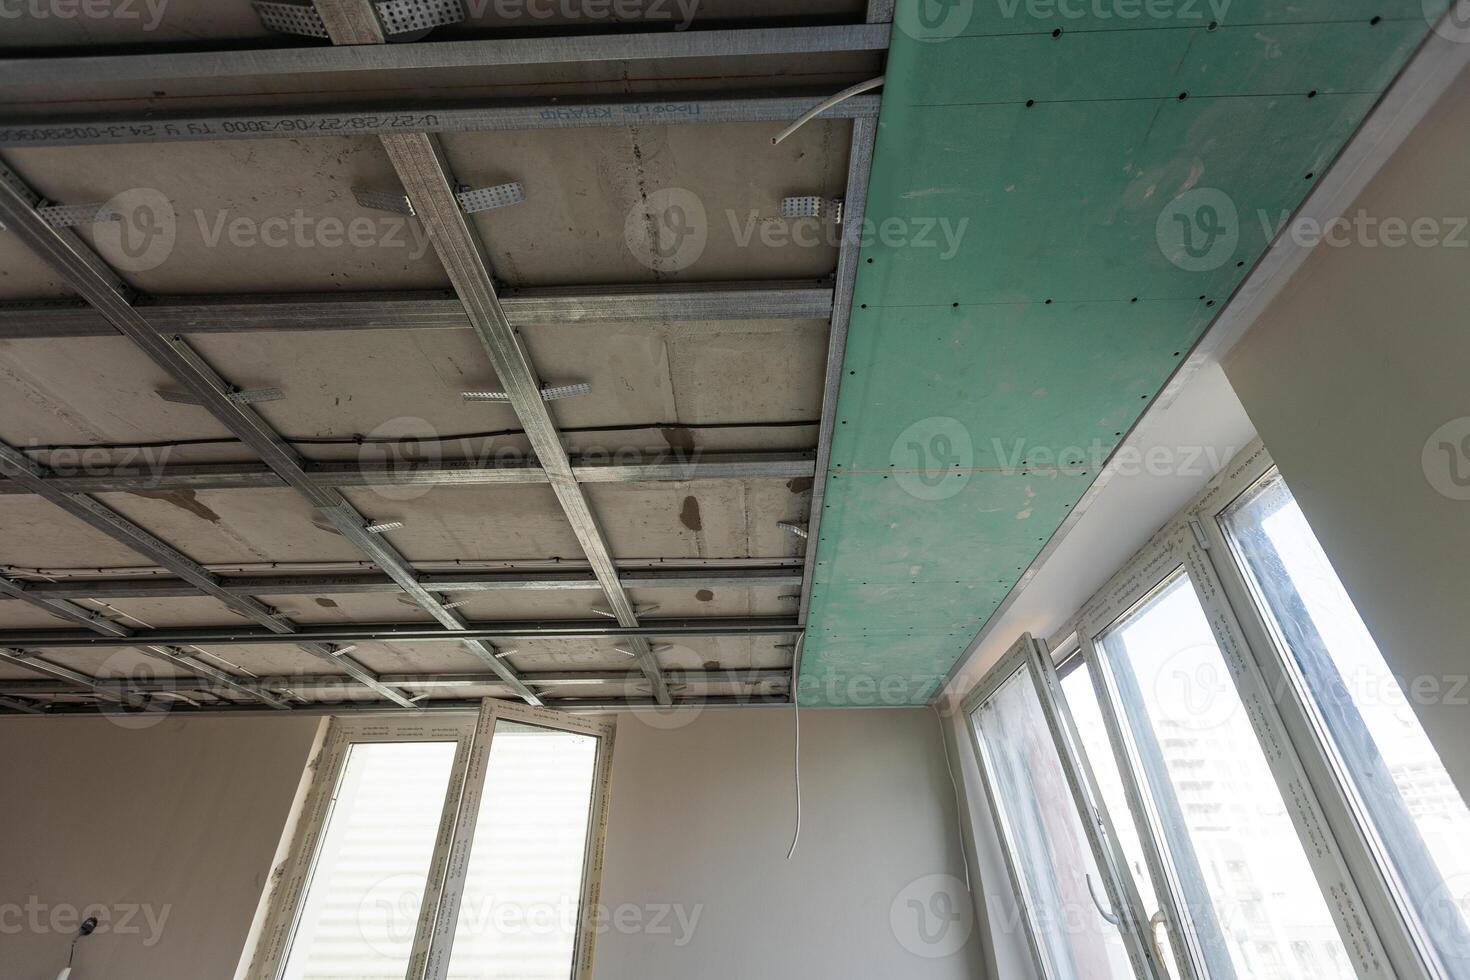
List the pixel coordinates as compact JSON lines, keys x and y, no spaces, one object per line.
{"x":449,"y":866}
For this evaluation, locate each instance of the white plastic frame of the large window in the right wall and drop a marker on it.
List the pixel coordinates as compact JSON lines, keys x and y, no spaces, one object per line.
{"x":1353,"y":878}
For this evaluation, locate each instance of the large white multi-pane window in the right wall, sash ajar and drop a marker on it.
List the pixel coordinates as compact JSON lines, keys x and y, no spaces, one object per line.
{"x":1255,"y":785}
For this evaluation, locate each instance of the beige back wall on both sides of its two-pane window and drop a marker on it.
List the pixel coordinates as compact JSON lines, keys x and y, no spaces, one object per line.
{"x":184,"y":821}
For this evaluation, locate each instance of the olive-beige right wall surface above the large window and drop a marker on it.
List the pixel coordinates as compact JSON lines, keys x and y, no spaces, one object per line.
{"x":1362,"y":358}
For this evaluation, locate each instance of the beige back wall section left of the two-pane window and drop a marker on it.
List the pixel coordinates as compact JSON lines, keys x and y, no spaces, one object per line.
{"x":171,"y":831}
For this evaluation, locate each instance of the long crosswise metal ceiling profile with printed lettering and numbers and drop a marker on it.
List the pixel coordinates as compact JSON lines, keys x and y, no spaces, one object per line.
{"x":317,"y":121}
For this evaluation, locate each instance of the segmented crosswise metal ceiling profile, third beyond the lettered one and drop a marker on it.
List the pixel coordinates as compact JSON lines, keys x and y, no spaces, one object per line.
{"x":753,"y":578}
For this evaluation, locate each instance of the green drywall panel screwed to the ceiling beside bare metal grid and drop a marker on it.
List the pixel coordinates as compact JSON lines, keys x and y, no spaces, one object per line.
{"x":1027,"y":286}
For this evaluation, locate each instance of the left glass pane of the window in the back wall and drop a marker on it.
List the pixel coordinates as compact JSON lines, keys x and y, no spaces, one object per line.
{"x":367,"y":885}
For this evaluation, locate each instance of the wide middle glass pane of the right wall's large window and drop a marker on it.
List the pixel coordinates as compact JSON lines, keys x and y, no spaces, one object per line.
{"x":1224,"y":822}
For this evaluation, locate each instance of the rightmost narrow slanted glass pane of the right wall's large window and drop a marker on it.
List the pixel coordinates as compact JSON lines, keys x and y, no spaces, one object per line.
{"x":1413,"y":812}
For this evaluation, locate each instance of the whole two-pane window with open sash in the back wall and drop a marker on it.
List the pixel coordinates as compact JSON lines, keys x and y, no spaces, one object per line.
{"x":446,"y":849}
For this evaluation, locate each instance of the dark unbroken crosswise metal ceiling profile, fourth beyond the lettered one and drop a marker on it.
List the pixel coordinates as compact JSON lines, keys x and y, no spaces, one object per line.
{"x":409,"y":633}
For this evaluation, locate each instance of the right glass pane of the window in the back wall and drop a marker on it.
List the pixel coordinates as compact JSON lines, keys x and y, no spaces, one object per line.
{"x":523,"y":896}
